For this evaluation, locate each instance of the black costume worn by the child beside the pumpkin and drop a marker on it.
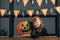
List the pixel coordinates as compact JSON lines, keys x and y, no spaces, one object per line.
{"x":37,"y":34}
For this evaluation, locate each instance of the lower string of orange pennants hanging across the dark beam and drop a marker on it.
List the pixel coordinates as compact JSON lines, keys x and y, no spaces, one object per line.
{"x":29,"y":12}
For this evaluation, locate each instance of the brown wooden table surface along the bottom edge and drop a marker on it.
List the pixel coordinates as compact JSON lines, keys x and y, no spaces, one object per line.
{"x":28,"y":38}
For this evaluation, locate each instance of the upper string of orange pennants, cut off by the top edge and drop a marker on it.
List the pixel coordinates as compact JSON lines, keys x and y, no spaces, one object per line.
{"x":39,"y":2}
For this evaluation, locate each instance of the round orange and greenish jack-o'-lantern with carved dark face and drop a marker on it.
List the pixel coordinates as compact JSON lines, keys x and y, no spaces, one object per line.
{"x":23,"y":27}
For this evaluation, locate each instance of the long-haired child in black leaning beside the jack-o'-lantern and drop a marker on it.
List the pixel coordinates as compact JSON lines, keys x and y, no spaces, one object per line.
{"x":38,"y":28}
